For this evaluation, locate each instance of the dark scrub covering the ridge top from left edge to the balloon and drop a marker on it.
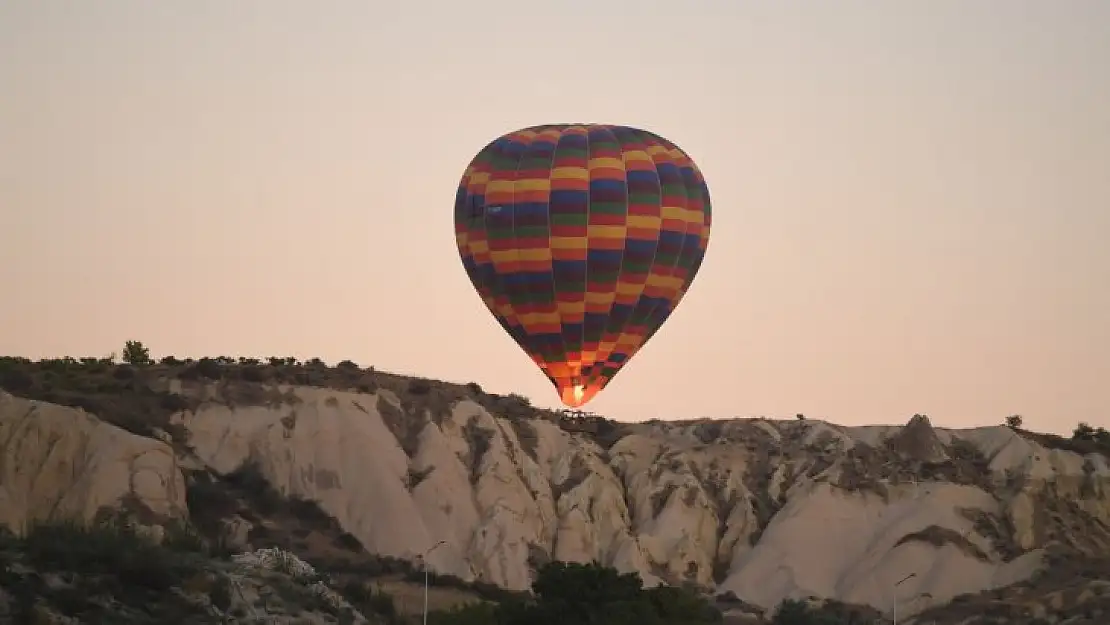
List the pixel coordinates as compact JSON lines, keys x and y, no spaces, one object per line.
{"x":134,"y":391}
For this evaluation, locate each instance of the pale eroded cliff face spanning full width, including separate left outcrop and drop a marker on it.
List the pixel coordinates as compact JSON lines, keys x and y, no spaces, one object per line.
{"x":762,"y":509}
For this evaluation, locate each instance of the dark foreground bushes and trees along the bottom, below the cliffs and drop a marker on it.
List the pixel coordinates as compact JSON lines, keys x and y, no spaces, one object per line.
{"x":110,"y":572}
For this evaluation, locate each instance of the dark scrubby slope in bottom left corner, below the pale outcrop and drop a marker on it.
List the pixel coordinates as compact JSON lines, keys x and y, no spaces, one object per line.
{"x":110,"y":572}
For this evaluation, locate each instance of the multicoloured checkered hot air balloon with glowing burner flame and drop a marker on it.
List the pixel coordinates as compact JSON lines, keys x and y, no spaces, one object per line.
{"x":582,"y":240}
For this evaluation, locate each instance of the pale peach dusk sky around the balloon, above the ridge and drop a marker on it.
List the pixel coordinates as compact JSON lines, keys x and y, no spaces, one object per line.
{"x":912,"y":200}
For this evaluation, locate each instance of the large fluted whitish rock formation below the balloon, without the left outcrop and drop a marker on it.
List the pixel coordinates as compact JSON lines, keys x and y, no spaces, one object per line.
{"x":671,"y":501}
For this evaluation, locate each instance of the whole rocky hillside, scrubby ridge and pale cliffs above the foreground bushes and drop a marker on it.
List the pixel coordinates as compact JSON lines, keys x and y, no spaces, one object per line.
{"x":953,"y":527}
